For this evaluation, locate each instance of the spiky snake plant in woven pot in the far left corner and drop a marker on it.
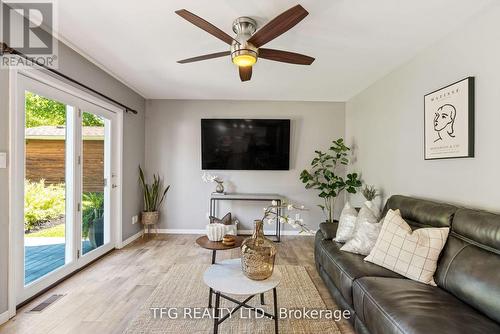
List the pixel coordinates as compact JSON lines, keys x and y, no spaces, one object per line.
{"x":154,"y":195}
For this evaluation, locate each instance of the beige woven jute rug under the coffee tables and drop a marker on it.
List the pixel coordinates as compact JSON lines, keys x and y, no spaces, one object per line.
{"x":183,"y":293}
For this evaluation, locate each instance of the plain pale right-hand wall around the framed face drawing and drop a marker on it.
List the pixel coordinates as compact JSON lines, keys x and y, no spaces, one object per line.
{"x":385,"y":121}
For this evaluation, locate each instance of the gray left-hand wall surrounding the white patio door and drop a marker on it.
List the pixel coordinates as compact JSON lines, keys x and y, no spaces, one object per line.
{"x":75,"y":66}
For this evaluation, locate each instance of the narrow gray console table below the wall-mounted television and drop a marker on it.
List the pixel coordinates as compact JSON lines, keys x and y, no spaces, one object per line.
{"x":250,"y":198}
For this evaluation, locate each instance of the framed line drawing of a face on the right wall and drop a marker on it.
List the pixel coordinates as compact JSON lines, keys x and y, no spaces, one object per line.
{"x":449,"y":121}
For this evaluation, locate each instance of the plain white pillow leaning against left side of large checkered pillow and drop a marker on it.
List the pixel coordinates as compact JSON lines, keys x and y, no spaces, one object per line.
{"x":365,"y":232}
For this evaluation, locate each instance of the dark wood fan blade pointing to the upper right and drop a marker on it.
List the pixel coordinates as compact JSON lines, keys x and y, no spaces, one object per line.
{"x":279,"y":25}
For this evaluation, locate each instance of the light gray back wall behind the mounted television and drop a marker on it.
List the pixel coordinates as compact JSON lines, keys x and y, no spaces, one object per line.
{"x":173,"y":149}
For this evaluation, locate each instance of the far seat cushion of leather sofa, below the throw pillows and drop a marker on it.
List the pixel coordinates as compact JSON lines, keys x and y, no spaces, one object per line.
{"x":344,"y":267}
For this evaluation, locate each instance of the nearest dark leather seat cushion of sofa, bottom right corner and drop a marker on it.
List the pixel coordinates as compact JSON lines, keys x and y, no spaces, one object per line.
{"x":391,"y":305}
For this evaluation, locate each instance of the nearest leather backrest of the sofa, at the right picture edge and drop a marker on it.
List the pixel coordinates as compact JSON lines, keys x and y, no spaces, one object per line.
{"x":469,"y":267}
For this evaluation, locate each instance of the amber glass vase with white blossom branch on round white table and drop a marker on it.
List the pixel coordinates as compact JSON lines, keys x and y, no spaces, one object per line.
{"x":258,"y":252}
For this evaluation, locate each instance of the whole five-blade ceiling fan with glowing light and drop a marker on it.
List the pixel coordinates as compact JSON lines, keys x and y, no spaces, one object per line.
{"x":246,"y":46}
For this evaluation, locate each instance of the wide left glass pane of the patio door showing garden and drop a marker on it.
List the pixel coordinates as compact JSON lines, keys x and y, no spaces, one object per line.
{"x":45,"y":208}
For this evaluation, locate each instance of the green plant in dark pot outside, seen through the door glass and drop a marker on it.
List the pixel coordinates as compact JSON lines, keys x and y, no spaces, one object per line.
{"x":93,"y":218}
